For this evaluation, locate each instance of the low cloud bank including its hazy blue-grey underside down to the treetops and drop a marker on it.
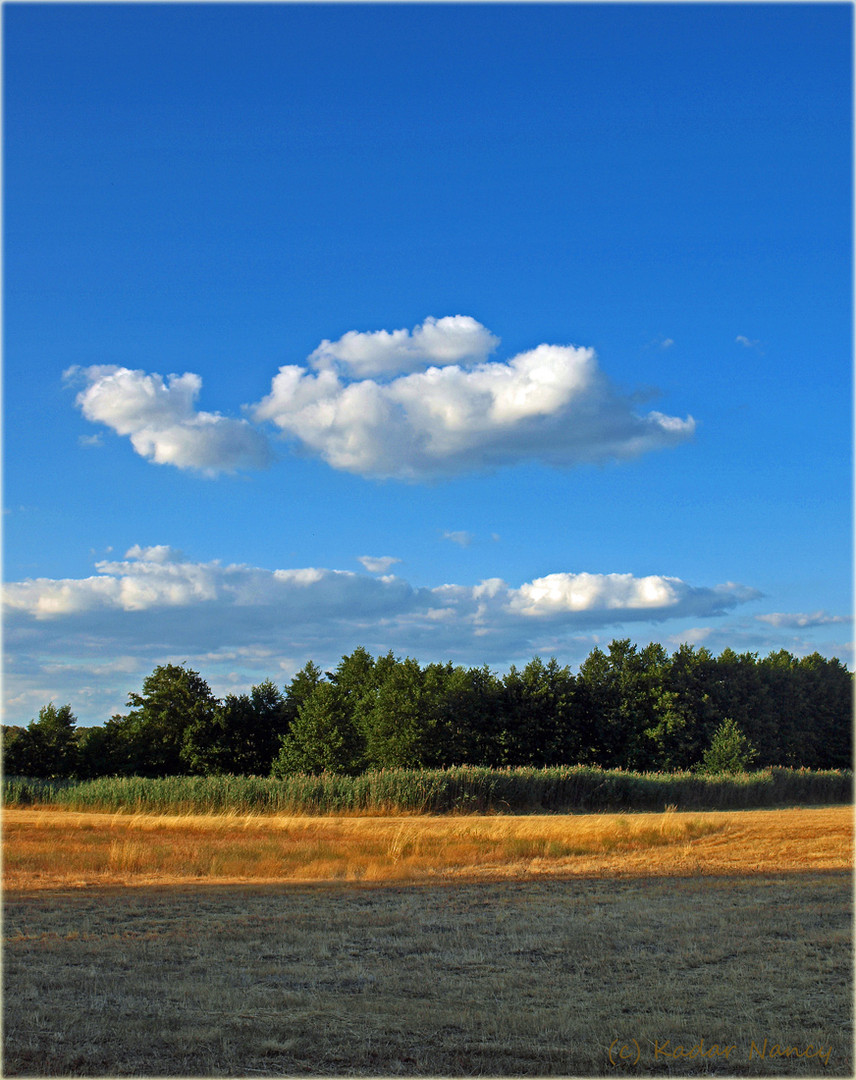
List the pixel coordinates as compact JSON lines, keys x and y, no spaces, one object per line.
{"x":156,"y":606}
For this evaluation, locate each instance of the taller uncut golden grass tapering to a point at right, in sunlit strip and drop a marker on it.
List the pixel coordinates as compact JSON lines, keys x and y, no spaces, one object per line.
{"x":45,"y":845}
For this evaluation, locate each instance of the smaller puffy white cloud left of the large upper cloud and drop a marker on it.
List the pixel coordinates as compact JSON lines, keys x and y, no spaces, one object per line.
{"x":162,"y":423}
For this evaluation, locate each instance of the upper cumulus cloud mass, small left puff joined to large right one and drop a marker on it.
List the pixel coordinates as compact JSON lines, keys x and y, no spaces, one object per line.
{"x":402,"y":404}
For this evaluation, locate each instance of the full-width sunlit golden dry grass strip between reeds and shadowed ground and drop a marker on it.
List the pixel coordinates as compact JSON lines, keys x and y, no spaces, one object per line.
{"x":48,"y":848}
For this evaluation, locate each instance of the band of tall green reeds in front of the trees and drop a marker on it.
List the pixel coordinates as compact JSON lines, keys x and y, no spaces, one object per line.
{"x":459,"y":790}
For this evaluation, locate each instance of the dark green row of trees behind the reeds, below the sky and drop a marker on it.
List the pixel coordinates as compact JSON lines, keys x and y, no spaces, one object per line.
{"x":629,"y":708}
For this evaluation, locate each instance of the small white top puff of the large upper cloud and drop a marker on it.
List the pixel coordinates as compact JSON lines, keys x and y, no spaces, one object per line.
{"x":456,"y":340}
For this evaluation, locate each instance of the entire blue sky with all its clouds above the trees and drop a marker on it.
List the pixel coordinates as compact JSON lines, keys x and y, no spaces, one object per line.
{"x":470,"y":332}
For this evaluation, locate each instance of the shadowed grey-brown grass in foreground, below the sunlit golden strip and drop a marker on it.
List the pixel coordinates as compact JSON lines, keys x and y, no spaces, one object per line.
{"x":540,"y":978}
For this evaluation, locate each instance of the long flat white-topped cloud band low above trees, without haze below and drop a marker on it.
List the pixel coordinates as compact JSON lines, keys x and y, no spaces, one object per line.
{"x":159,"y":578}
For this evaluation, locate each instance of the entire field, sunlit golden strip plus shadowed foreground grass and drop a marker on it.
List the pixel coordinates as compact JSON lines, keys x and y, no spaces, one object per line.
{"x":580,"y":946}
